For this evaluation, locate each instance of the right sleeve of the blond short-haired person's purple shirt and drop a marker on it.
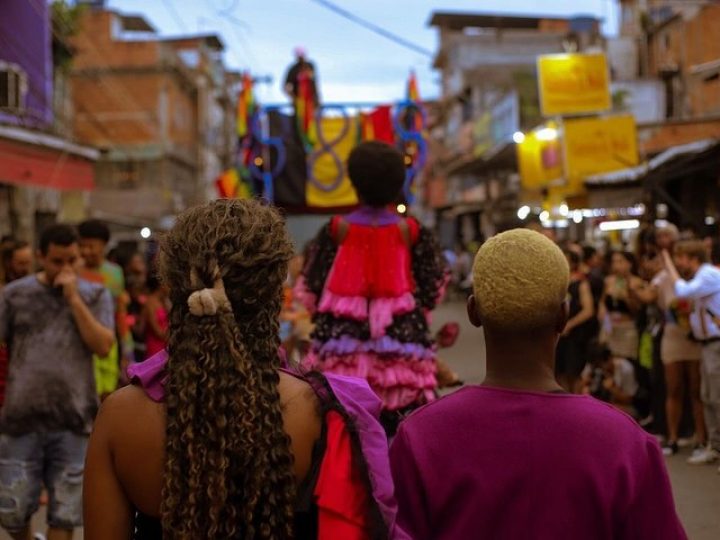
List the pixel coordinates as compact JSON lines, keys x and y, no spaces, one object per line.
{"x":652,"y":513}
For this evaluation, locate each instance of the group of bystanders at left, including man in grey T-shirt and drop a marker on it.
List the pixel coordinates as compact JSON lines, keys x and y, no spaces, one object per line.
{"x":68,"y":334}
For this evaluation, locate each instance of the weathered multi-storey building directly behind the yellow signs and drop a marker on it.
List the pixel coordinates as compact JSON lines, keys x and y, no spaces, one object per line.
{"x":488,"y":66}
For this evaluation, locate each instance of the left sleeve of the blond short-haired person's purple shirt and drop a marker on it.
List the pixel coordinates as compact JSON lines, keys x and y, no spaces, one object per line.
{"x":409,"y":489}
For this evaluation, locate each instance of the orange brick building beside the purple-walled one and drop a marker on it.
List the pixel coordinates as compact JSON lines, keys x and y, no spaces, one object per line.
{"x":157,"y":108}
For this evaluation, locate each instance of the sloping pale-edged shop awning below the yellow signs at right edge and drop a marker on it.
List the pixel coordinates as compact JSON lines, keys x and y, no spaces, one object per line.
{"x":675,"y":160}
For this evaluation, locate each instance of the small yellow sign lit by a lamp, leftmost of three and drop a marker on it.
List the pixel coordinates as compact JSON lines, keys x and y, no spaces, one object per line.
{"x":539,"y":161}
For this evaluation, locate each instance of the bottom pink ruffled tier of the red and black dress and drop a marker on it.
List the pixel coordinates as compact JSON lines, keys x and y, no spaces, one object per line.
{"x":398,"y":383}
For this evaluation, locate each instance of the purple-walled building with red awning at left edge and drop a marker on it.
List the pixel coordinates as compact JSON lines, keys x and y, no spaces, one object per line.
{"x":45,"y":176}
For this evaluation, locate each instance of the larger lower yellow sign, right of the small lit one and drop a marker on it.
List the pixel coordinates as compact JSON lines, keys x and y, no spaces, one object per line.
{"x":598,"y":145}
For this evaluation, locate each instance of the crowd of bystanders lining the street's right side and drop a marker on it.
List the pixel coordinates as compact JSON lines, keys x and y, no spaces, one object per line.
{"x":641,"y":335}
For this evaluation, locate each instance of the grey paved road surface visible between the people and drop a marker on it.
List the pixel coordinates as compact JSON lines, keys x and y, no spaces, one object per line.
{"x":697,"y":489}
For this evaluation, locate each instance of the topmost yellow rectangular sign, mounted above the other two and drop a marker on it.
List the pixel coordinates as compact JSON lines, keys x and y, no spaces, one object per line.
{"x":573,"y":84}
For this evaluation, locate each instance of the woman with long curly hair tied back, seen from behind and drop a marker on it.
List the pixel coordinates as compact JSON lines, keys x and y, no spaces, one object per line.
{"x":213,"y":440}
